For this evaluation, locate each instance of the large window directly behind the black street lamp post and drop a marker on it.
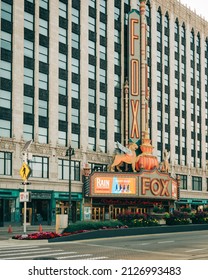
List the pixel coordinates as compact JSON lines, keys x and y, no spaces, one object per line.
{"x":63,"y":170}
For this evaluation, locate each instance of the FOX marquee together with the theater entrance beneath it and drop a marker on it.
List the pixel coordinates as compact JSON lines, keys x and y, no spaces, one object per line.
{"x":111,"y":194}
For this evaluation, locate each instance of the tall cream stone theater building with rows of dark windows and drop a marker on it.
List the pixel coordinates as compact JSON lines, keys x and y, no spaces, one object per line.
{"x":80,"y":74}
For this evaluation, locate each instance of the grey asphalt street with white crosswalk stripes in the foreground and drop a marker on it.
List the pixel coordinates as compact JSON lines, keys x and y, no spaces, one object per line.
{"x":191,"y":245}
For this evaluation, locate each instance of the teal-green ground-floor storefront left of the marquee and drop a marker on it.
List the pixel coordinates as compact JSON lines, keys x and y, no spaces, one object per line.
{"x":42,"y":207}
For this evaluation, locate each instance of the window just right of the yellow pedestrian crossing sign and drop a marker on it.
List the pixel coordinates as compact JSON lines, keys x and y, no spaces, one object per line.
{"x":39,"y":167}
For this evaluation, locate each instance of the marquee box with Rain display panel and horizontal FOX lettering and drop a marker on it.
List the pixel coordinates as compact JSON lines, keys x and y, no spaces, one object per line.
{"x":148,"y":184}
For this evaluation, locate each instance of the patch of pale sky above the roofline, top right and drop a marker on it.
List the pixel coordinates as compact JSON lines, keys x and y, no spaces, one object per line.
{"x":200,"y":7}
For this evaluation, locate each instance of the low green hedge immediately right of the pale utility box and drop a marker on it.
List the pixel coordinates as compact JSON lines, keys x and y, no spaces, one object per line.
{"x":92,"y":225}
